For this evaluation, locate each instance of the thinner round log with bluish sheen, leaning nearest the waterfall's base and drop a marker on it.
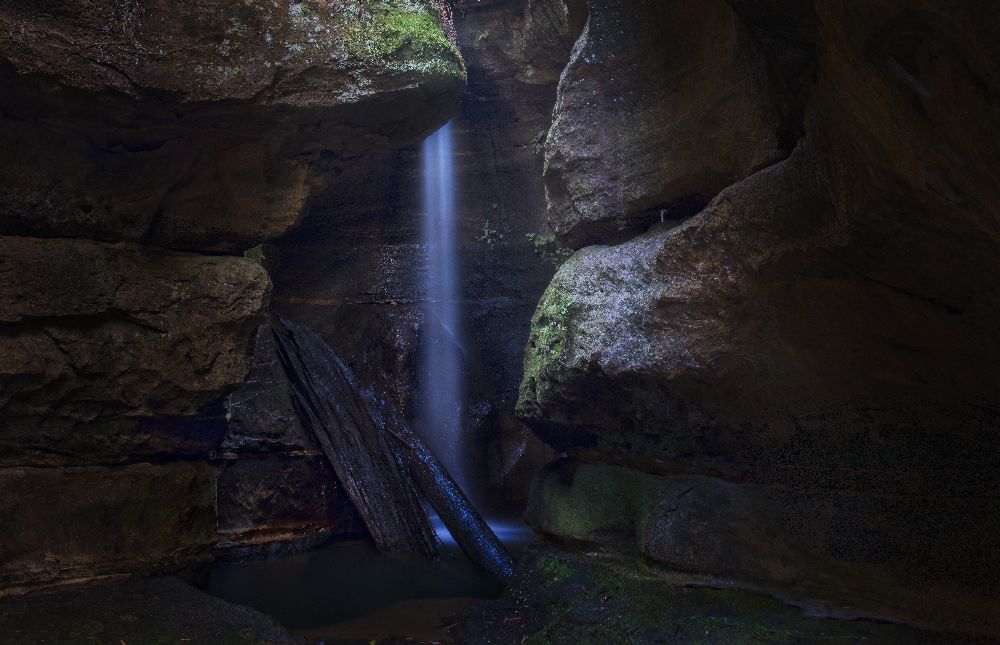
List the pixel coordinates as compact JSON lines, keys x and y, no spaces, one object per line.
{"x":472,"y":534}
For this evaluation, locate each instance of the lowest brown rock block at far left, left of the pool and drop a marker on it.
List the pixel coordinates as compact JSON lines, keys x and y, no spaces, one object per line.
{"x":86,"y":523}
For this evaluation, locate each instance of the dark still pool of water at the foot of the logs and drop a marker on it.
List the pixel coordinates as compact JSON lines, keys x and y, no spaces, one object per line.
{"x":347,"y":581}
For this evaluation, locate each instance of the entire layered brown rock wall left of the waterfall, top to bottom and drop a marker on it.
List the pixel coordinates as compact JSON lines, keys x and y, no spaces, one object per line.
{"x":143,"y":148}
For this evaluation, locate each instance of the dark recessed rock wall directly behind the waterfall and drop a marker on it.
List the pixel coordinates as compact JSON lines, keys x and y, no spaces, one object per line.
{"x":353,"y":270}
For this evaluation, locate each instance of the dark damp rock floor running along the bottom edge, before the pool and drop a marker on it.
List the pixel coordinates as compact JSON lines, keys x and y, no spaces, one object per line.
{"x":555,"y":598}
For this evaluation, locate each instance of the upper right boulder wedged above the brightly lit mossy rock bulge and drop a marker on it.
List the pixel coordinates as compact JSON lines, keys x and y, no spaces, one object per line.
{"x":663,"y":104}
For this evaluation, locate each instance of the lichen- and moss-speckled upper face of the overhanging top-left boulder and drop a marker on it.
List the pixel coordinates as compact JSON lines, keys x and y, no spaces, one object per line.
{"x":236,"y":50}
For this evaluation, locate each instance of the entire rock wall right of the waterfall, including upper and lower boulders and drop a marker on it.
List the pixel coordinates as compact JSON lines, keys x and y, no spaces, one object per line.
{"x":793,"y":386}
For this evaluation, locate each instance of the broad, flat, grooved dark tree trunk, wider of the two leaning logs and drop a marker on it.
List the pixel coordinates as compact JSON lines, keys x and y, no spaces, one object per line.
{"x":366,"y":459}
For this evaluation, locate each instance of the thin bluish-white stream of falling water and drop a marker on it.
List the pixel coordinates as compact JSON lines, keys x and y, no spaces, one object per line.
{"x":441,"y":345}
